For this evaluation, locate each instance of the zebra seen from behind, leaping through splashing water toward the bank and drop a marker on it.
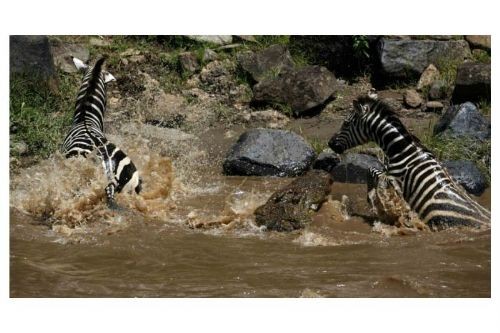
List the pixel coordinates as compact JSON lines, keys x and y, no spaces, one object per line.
{"x":87,"y":132}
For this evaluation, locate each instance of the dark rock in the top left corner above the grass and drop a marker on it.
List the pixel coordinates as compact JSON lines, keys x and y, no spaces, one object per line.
{"x":31,"y":54}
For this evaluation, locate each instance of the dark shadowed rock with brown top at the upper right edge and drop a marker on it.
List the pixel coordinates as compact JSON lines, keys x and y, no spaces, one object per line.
{"x":473,"y":83}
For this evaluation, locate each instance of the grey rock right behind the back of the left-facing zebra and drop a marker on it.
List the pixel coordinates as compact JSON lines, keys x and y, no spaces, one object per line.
{"x":468,"y":175}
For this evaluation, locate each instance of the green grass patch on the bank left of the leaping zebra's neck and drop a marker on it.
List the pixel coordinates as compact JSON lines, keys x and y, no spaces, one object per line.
{"x":40,"y":116}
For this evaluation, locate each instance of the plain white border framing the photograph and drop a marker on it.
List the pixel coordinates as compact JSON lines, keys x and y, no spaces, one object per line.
{"x":245,"y":17}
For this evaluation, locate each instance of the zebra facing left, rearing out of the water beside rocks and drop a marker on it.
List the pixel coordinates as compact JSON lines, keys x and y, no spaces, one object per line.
{"x":425,"y":184}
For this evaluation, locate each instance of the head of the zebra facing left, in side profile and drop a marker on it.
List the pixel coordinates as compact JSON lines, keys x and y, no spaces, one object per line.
{"x":354,"y":130}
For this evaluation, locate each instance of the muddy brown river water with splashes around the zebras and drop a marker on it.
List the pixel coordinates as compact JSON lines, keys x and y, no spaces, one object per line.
{"x":198,"y":239}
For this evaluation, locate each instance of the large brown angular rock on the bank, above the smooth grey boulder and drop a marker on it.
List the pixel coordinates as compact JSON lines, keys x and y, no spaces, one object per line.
{"x":301,"y":89}
